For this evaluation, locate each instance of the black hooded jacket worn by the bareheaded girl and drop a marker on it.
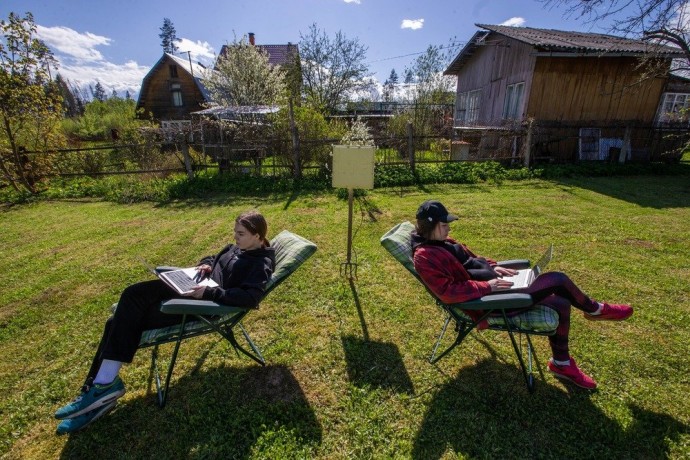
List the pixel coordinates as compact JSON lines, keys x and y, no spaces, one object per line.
{"x":241,"y":275}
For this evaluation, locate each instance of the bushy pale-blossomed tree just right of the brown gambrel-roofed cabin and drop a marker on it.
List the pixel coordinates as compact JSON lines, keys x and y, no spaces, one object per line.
{"x":243,"y":76}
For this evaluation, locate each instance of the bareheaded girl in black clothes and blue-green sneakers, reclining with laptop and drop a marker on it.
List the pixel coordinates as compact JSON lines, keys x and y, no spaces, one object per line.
{"x":241,"y":270}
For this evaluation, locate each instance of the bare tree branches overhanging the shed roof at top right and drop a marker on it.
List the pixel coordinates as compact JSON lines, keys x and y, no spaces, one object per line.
{"x":665,"y":22}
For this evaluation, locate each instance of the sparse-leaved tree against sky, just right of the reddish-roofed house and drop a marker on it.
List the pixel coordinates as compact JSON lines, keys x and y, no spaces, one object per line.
{"x":332,"y":68}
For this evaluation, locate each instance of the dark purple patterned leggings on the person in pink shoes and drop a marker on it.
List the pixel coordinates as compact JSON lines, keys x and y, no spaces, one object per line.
{"x":558,"y":292}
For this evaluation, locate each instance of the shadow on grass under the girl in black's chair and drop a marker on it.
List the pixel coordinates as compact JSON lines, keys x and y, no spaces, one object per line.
{"x":220,"y":413}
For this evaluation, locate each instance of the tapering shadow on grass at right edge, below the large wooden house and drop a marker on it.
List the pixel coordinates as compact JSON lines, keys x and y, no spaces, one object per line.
{"x":659,"y":192}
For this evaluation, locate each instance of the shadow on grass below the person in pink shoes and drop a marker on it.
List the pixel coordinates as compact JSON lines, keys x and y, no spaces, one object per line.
{"x":484,"y":412}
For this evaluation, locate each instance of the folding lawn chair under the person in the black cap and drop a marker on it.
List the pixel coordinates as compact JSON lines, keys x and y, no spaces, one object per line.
{"x":536,"y":320}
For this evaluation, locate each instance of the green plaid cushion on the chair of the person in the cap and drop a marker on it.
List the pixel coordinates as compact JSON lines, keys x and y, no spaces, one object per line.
{"x":398,"y":243}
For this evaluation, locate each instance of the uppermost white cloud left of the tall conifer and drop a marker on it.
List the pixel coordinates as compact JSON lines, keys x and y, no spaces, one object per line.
{"x":72,"y":43}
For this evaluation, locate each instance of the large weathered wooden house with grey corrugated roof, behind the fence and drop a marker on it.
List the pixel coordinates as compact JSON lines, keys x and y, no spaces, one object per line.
{"x":587,"y":93}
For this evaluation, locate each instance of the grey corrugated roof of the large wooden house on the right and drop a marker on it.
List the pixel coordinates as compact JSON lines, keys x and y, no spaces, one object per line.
{"x":550,"y":42}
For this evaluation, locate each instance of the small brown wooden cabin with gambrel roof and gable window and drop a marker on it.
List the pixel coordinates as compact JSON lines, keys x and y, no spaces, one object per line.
{"x":172,"y":90}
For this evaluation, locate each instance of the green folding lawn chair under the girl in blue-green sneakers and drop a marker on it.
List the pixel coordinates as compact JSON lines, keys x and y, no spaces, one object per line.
{"x":200,"y":317}
